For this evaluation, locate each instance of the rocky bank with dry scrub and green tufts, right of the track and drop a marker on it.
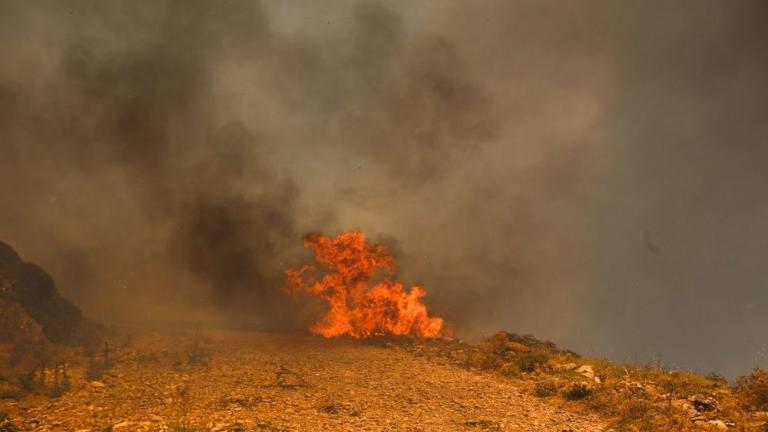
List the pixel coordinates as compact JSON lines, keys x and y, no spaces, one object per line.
{"x":630,"y":397}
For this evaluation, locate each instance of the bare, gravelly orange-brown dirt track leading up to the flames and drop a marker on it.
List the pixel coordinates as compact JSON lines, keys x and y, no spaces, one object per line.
{"x":245,"y":381}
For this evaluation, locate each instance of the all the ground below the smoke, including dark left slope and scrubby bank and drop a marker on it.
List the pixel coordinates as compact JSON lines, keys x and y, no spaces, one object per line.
{"x":59,"y":372}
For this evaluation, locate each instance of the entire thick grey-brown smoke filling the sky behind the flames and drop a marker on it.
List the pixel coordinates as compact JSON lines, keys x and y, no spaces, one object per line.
{"x":587,"y":171}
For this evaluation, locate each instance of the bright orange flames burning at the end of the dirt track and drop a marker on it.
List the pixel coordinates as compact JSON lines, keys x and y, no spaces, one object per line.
{"x":355,"y":307}
